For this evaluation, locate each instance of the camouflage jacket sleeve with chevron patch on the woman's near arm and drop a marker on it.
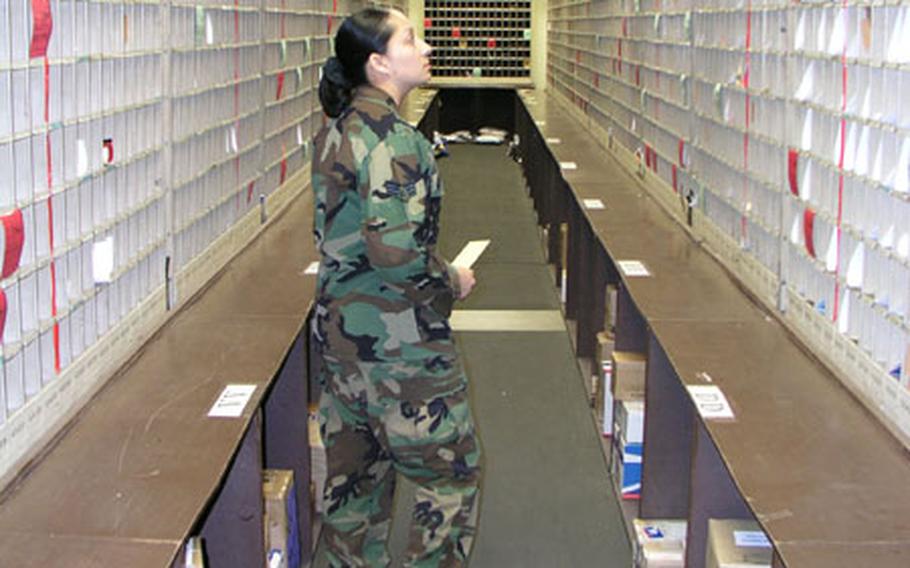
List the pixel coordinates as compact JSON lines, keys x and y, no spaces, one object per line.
{"x":401,"y":220}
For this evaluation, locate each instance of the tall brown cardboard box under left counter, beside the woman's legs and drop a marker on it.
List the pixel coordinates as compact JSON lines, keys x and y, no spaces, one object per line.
{"x":282,"y":528}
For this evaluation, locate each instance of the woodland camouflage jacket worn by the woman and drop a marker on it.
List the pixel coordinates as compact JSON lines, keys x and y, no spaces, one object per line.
{"x":377,"y":198}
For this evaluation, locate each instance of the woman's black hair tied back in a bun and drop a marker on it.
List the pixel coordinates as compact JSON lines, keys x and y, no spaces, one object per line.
{"x":359,"y":36}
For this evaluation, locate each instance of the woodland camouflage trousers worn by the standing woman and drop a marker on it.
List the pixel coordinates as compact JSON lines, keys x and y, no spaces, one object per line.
{"x":413,"y":418}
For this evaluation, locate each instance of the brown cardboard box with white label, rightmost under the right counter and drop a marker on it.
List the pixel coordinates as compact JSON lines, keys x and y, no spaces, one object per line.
{"x":737,"y":543}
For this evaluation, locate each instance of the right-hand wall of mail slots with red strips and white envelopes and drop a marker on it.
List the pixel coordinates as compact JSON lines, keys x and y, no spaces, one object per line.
{"x":786,"y":123}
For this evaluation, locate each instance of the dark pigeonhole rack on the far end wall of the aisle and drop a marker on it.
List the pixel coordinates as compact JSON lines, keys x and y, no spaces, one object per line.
{"x":480,"y":38}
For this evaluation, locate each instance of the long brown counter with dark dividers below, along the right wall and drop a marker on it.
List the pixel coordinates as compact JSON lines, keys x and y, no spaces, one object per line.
{"x":782,"y":461}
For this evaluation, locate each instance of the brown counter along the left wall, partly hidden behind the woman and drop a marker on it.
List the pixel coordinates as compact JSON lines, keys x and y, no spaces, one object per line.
{"x":143,"y":468}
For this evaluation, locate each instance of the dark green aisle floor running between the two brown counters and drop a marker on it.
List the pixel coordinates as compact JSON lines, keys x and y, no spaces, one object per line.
{"x":546,"y":499}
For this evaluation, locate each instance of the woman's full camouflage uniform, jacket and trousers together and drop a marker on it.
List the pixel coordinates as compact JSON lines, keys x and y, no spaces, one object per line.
{"x":394,"y":392}
